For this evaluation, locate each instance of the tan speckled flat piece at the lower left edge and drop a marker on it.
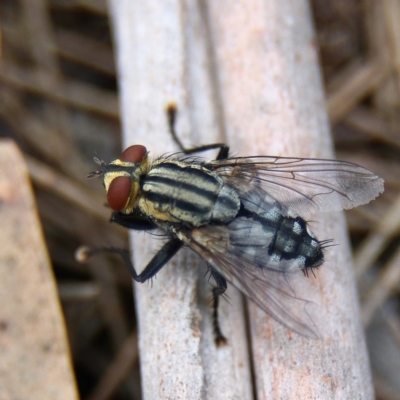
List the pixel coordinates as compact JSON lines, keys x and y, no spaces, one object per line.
{"x":35,"y":362}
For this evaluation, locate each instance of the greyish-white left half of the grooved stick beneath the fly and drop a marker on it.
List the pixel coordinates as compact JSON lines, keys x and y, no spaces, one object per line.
{"x":163,"y":57}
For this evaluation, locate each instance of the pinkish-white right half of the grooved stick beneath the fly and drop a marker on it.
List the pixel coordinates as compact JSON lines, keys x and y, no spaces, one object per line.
{"x":273,"y":104}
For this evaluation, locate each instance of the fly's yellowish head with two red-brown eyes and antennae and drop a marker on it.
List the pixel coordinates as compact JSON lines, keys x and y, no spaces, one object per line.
{"x":121,"y":178}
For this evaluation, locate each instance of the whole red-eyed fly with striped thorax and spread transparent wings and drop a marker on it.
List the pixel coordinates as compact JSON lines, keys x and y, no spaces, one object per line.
{"x":239,"y":214}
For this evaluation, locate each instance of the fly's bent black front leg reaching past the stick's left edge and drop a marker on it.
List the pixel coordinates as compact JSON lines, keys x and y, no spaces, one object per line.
{"x":159,"y":260}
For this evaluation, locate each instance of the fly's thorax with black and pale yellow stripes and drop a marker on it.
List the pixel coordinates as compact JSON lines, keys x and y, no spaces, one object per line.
{"x":178,"y":192}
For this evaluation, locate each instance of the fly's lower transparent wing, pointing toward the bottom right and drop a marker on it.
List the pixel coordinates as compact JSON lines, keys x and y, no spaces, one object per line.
{"x":239,"y":251}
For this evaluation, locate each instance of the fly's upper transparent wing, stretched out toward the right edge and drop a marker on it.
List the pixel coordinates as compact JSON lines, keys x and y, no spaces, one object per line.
{"x":303,"y":185}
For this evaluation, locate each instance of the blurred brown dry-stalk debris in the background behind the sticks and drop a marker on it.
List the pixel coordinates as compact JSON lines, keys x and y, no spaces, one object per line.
{"x":59,"y":102}
